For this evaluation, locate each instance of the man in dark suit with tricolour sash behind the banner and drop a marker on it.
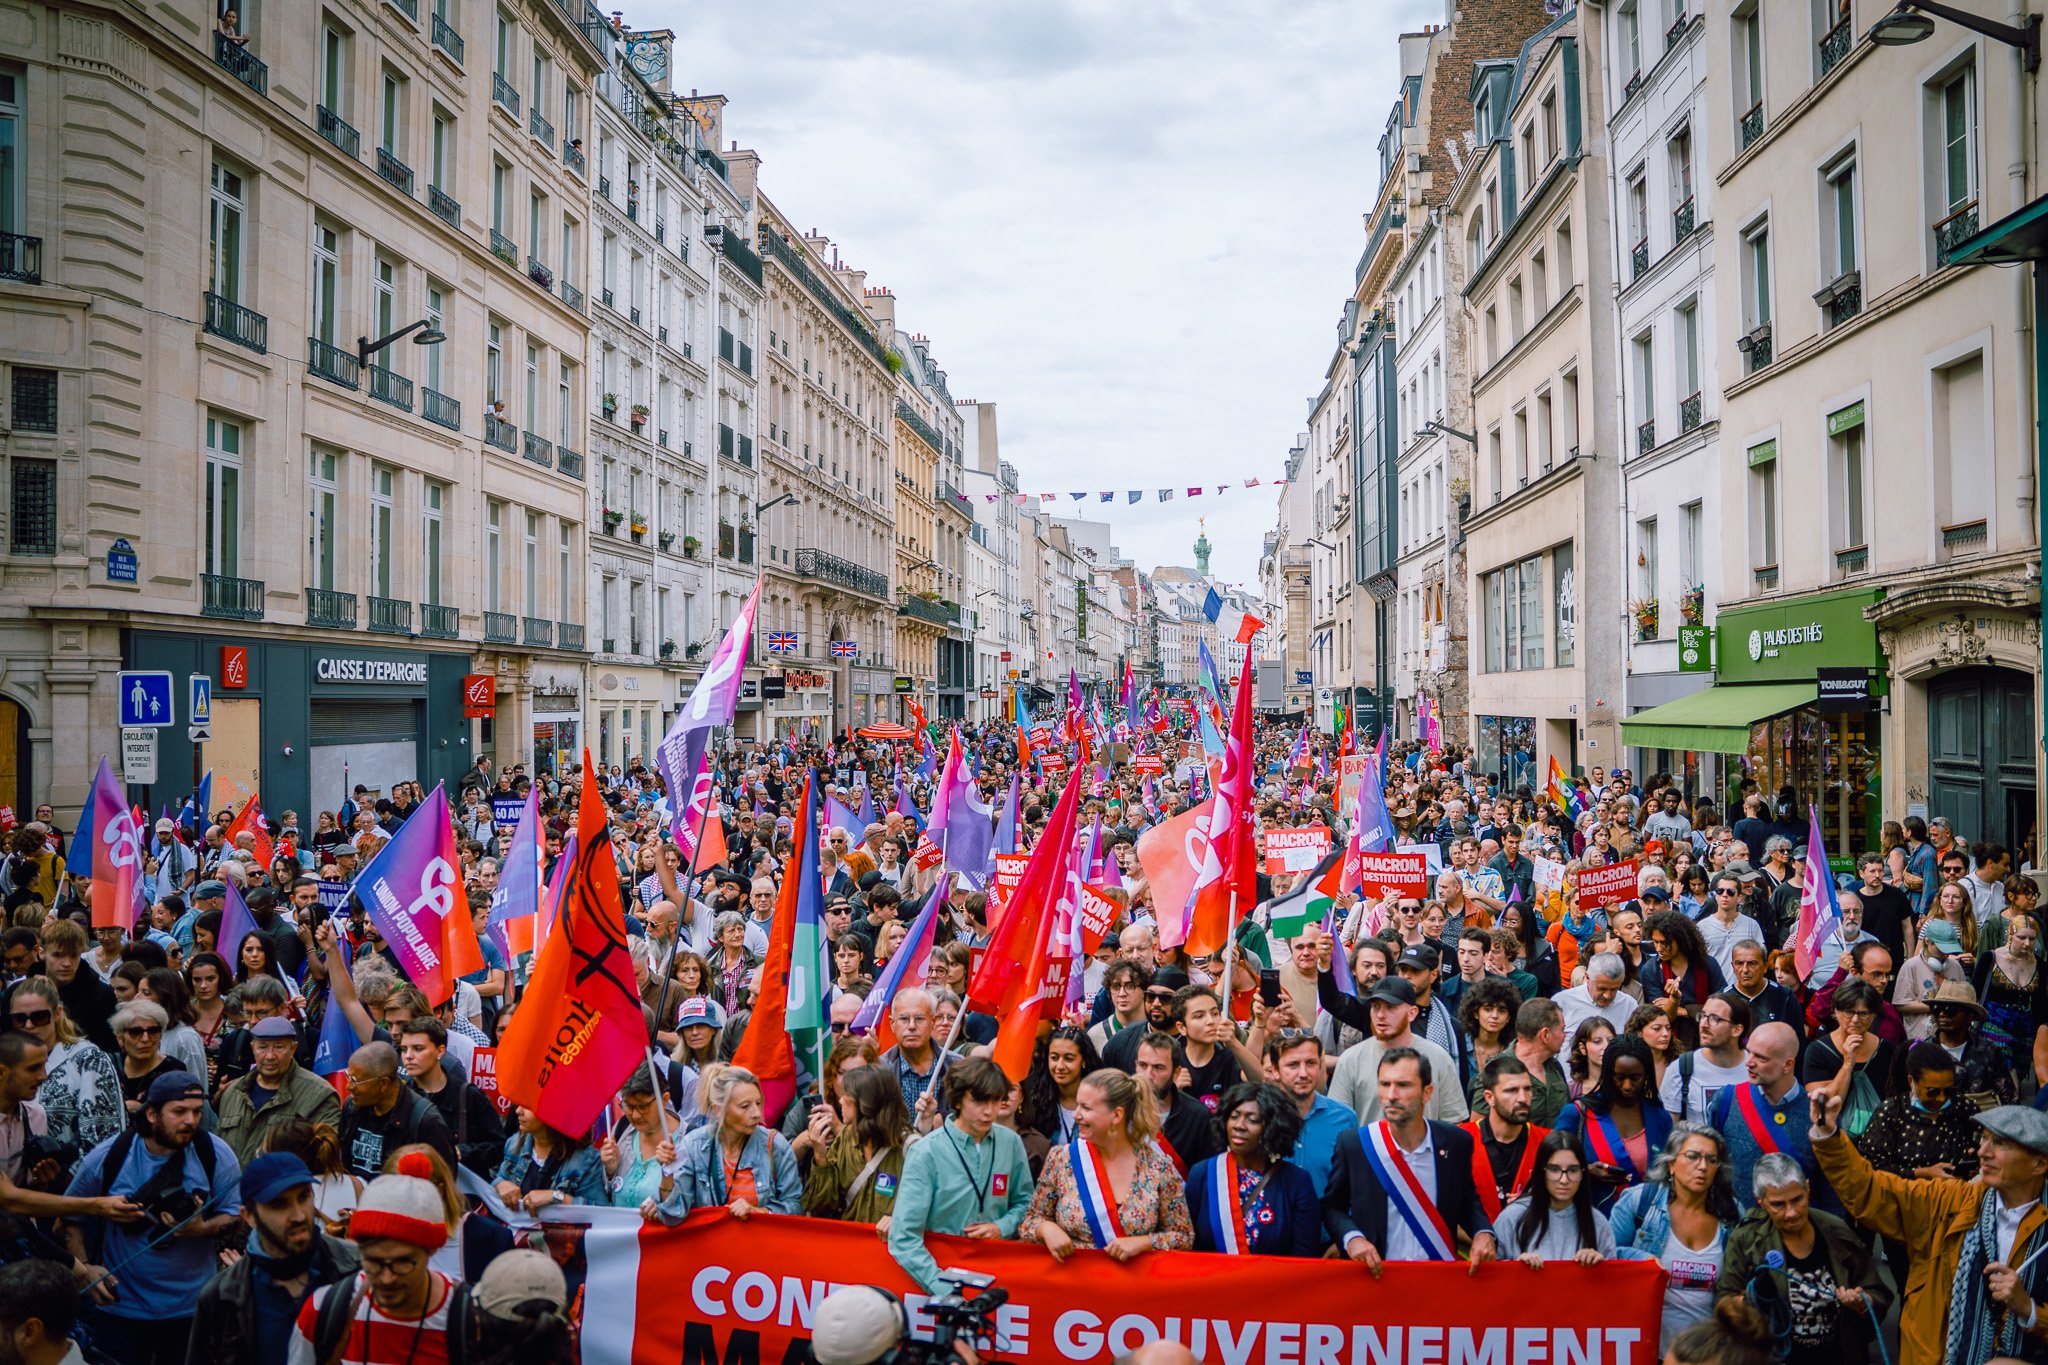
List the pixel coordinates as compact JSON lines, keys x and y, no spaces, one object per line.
{"x":1369,"y":1223}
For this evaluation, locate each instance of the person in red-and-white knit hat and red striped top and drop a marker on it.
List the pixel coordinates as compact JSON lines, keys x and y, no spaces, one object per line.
{"x":396,"y":1307}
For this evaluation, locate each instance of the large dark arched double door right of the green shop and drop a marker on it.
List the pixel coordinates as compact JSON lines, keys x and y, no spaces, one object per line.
{"x":1981,"y":754}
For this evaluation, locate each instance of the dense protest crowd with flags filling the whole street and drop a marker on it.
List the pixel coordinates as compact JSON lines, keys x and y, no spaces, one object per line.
{"x":288,"y":1088}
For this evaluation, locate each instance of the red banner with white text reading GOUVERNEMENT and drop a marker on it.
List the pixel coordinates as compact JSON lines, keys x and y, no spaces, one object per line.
{"x":746,"y":1294}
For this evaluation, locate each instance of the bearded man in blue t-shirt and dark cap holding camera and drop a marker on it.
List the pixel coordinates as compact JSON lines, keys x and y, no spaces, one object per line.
{"x":187,"y":1184}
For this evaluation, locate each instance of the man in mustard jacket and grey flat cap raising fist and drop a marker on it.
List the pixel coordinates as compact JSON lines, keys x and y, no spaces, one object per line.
{"x":1977,"y":1282}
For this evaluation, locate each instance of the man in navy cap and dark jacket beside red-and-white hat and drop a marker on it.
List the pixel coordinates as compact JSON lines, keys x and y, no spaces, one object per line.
{"x":245,"y":1315}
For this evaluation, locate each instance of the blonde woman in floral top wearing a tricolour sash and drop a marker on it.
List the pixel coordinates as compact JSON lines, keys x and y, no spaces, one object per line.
{"x":1111,"y":1188}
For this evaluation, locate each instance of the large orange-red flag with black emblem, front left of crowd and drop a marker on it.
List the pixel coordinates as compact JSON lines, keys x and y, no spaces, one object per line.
{"x":579,"y":1032}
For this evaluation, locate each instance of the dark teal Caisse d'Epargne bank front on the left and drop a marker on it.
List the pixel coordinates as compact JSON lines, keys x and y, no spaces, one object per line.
{"x":304,"y":723}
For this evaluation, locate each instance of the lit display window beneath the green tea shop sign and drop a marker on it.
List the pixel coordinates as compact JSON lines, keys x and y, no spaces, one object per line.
{"x":1832,"y":760}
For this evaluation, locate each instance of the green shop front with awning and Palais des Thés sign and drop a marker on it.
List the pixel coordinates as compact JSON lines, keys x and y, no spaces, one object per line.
{"x":1768,"y":721}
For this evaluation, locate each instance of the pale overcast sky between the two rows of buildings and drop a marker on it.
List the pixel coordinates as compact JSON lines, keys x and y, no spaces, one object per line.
{"x":1132,"y":226}
